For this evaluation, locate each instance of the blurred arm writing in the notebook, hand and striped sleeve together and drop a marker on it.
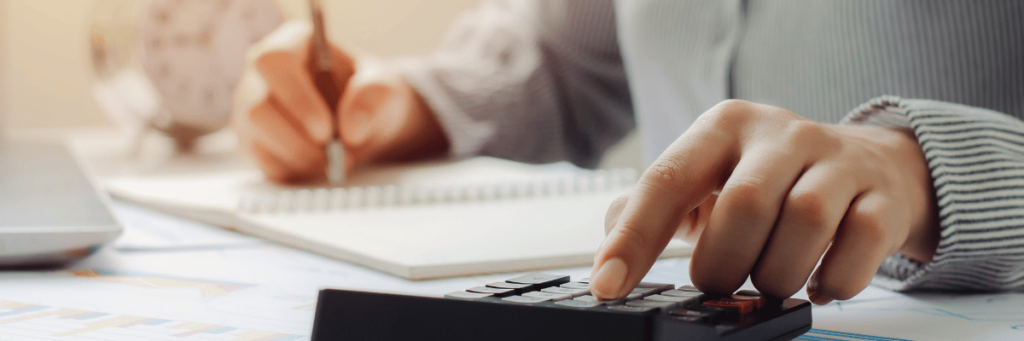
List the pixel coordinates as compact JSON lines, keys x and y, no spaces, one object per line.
{"x":534,"y":81}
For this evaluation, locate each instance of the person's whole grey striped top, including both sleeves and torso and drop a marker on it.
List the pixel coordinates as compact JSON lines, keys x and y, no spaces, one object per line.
{"x":542,"y":81}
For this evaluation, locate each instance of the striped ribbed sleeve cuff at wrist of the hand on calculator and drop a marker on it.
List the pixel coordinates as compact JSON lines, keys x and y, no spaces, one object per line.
{"x":976,"y":157}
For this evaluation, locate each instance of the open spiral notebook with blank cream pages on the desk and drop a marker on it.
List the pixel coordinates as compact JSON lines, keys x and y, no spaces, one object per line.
{"x":419,"y":222}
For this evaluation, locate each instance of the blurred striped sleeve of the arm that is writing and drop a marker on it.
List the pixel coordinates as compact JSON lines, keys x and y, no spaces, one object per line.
{"x":532,"y":81}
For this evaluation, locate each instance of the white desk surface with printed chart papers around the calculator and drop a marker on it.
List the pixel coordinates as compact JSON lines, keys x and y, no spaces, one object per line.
{"x":169,"y":279}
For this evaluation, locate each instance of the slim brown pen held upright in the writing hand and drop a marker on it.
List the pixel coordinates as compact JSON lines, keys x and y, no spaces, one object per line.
{"x":321,"y":67}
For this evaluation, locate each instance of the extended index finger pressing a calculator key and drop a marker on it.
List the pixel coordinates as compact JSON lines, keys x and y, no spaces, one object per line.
{"x":684,"y":177}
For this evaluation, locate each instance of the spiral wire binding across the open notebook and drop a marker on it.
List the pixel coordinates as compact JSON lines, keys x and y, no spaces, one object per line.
{"x":323,"y":200}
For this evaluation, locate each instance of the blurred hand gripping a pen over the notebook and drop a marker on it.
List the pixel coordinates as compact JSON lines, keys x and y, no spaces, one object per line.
{"x":287,"y":122}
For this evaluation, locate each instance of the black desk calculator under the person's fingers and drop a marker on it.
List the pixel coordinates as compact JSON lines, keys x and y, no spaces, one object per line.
{"x":541,"y":307}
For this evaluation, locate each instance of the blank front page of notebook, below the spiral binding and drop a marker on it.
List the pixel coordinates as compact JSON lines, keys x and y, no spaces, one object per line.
{"x":439,"y":237}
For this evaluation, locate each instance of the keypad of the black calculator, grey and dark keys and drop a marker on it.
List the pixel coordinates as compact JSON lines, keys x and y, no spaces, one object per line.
{"x":684,"y":304}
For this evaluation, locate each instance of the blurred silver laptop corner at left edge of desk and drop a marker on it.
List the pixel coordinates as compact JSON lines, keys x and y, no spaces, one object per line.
{"x":51,"y":214}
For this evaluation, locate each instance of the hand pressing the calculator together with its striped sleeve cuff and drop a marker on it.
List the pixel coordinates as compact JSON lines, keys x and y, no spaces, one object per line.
{"x":909,"y":194}
